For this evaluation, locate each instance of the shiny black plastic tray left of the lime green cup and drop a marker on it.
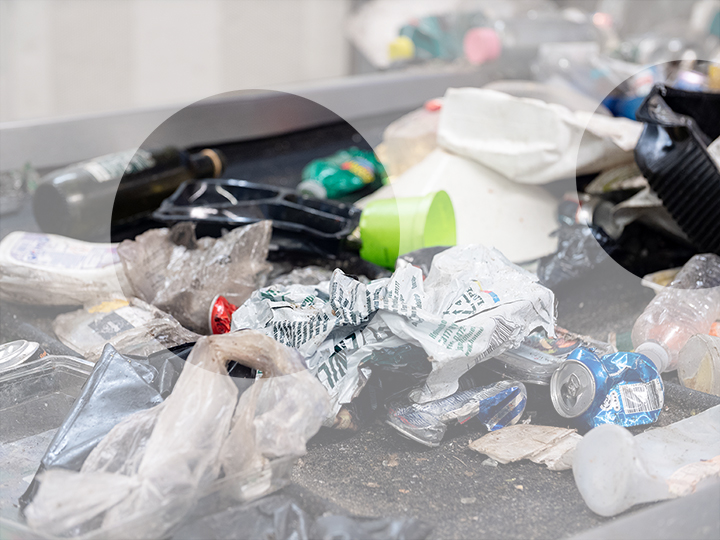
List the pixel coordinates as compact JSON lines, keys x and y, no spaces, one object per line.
{"x":299,"y":223}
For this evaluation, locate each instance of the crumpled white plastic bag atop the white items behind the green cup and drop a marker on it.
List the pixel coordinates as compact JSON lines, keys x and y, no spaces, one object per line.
{"x":530,"y":141}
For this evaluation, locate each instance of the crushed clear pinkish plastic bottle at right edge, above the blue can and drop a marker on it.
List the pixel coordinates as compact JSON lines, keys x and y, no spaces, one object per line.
{"x":687,"y":307}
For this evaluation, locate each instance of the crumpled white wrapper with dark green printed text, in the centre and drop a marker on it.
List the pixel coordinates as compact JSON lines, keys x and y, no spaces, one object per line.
{"x":473,"y":305}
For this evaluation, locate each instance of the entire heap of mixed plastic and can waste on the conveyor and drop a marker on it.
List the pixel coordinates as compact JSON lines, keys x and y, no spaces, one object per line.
{"x":183,"y":371}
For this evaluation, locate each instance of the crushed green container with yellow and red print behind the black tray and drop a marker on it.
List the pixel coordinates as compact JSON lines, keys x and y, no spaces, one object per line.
{"x":341,"y":174}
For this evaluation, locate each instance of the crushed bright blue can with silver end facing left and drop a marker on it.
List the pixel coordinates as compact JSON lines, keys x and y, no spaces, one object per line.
{"x":622,"y":388}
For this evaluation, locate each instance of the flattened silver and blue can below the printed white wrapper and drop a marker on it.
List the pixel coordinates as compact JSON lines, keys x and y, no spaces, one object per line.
{"x":496,"y":406}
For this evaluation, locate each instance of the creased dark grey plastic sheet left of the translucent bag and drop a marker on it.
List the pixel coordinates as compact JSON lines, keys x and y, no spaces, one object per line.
{"x":118,"y":387}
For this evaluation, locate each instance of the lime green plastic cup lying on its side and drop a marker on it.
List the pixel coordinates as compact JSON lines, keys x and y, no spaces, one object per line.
{"x":392,"y":227}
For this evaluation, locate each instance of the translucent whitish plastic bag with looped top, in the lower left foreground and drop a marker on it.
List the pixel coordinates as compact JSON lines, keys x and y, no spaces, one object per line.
{"x":147,"y":473}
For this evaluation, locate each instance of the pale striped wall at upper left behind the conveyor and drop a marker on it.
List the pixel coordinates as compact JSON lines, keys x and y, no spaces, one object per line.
{"x":68,"y":57}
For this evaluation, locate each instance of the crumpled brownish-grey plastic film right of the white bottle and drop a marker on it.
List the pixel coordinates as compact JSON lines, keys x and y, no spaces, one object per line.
{"x":180,"y":274}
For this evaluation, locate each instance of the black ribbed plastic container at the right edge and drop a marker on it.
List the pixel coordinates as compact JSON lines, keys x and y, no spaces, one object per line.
{"x":672,"y":154}
